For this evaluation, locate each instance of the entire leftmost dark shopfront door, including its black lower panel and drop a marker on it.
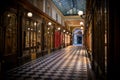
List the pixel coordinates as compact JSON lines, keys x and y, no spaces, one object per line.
{"x":10,"y":40}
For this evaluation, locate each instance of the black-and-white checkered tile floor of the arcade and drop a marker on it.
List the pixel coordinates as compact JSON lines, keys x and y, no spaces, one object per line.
{"x":69,"y":63}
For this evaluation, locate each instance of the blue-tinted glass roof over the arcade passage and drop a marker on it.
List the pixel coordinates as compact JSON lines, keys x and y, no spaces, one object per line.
{"x":70,"y":7}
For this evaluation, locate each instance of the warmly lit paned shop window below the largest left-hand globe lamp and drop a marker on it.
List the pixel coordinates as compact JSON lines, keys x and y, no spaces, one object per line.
{"x":29,"y":35}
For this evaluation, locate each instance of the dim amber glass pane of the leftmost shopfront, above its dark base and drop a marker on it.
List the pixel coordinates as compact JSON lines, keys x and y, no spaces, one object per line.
{"x":10,"y":23}
